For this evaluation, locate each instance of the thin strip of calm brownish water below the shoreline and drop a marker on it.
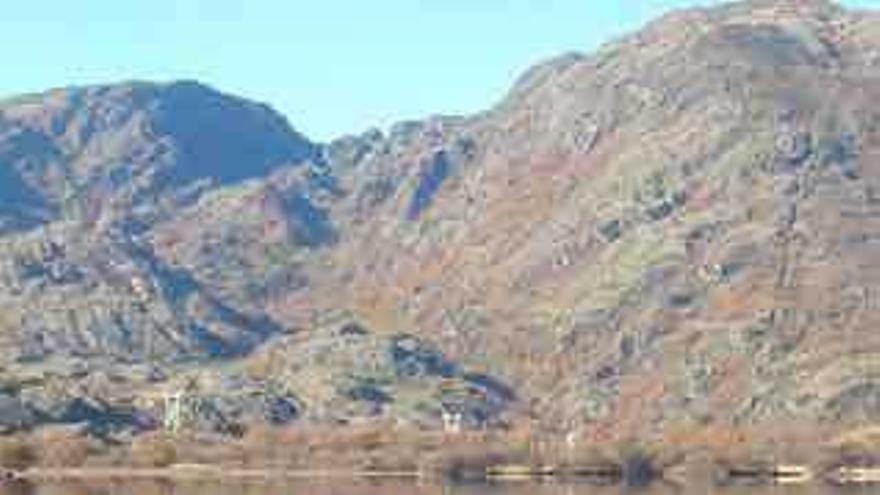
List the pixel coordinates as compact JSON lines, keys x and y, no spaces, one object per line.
{"x":399,"y":488}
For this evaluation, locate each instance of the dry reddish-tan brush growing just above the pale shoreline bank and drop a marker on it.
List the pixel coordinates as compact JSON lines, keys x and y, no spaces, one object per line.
{"x":384,"y":447}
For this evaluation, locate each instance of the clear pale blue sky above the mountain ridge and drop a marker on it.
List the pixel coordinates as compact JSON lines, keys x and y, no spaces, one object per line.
{"x":332,"y":66}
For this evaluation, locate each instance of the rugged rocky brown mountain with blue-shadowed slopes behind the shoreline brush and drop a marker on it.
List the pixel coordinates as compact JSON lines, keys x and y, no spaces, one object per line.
{"x":677,"y":228}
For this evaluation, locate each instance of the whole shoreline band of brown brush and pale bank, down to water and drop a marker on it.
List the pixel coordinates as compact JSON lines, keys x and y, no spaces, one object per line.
{"x":782,"y":454}
